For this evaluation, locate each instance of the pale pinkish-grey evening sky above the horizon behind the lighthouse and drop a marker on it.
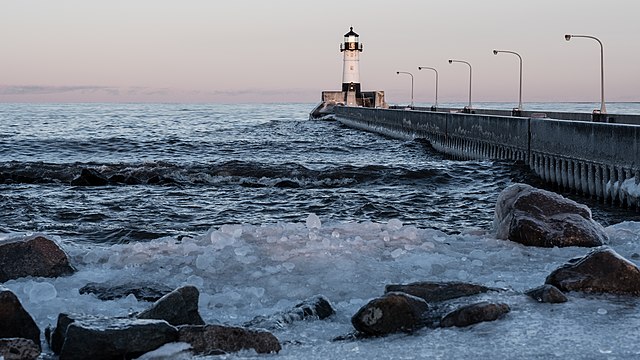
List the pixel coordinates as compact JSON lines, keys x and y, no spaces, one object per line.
{"x":253,"y":51}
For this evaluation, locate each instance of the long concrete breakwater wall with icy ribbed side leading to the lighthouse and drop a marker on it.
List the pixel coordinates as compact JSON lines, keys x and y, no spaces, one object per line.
{"x":596,"y":159}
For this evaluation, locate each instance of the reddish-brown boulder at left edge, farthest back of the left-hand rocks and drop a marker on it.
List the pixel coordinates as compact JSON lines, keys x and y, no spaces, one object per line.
{"x":37,"y":256}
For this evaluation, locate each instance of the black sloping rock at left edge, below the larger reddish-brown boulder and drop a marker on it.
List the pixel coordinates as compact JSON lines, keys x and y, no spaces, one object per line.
{"x":15,"y":321}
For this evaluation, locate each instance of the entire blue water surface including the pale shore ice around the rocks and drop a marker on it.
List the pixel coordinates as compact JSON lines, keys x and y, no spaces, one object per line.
{"x":261,"y":208}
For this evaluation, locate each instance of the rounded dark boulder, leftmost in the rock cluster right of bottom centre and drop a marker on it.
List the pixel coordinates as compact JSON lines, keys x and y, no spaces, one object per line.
{"x":393,"y":312}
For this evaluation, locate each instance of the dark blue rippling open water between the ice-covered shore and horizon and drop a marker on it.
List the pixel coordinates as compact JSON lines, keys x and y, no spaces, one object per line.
{"x":177,"y":170}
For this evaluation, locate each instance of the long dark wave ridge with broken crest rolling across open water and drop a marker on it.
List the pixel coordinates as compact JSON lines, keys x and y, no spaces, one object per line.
{"x":235,"y":172}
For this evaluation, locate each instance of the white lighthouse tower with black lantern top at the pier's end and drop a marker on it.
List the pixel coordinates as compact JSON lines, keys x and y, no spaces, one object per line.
{"x":351,"y":67}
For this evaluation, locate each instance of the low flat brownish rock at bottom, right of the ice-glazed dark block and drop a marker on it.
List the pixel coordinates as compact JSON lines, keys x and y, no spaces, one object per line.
{"x":216,"y":339}
